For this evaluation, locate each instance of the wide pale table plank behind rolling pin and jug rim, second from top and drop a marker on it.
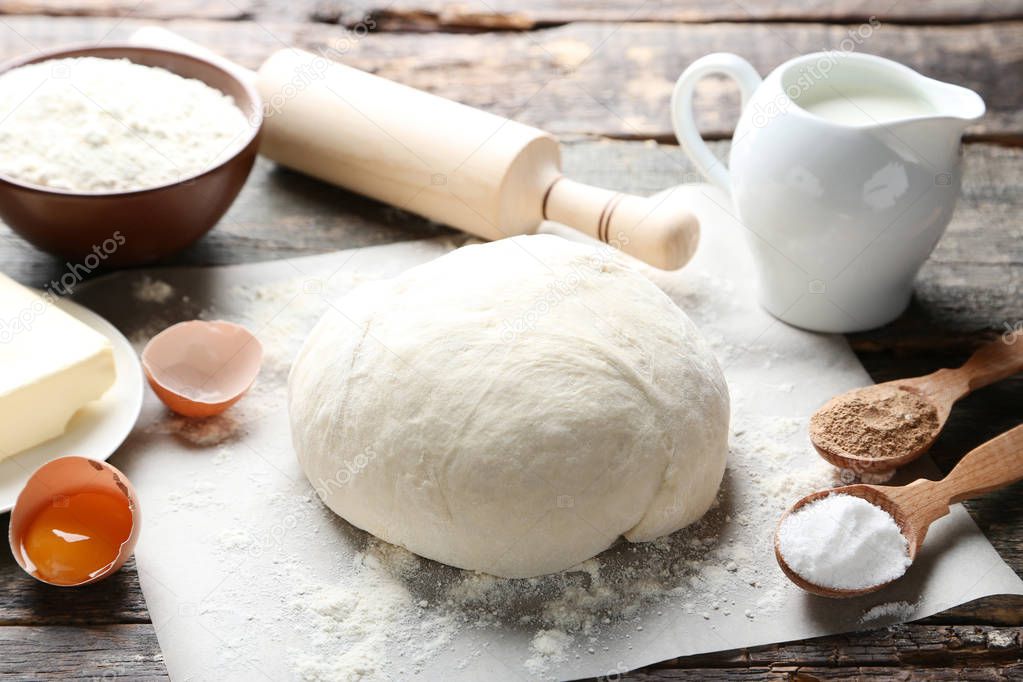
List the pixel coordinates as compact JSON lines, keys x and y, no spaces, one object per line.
{"x":604,"y":79}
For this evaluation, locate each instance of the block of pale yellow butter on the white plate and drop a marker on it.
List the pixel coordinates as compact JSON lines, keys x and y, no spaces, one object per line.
{"x":52,"y":366}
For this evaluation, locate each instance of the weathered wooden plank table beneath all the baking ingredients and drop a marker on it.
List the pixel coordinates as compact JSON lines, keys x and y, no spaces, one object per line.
{"x":600,"y":74}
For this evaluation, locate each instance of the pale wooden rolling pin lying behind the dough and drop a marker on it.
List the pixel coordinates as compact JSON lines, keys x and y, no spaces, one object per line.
{"x":453,"y":164}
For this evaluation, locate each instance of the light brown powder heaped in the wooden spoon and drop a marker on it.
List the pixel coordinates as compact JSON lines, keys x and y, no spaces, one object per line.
{"x":876,"y":422}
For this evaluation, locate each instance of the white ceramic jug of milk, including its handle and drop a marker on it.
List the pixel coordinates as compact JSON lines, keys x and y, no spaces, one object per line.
{"x":844,"y":170}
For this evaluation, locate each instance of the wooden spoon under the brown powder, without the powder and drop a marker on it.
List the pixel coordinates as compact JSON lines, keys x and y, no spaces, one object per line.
{"x":943,"y":389}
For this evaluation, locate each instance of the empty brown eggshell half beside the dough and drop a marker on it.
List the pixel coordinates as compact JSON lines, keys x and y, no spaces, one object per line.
{"x":201,"y":369}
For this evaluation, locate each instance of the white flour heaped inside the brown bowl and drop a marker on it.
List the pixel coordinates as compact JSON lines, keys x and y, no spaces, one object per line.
{"x":92,"y":125}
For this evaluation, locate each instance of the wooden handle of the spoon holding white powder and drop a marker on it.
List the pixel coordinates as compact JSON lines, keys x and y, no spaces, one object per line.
{"x":990,"y":467}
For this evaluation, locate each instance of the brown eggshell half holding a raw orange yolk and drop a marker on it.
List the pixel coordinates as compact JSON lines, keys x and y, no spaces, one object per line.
{"x":53,"y":491}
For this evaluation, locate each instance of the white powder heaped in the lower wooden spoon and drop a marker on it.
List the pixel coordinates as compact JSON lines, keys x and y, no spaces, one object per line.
{"x":844,"y":542}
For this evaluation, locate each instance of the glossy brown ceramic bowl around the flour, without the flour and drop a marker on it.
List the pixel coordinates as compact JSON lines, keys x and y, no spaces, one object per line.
{"x":141,"y":226}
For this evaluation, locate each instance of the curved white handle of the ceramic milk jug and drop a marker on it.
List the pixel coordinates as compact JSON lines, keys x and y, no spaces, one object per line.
{"x":682,"y":109}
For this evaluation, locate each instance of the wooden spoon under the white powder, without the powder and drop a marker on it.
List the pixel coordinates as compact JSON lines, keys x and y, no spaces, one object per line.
{"x":991,"y":467}
